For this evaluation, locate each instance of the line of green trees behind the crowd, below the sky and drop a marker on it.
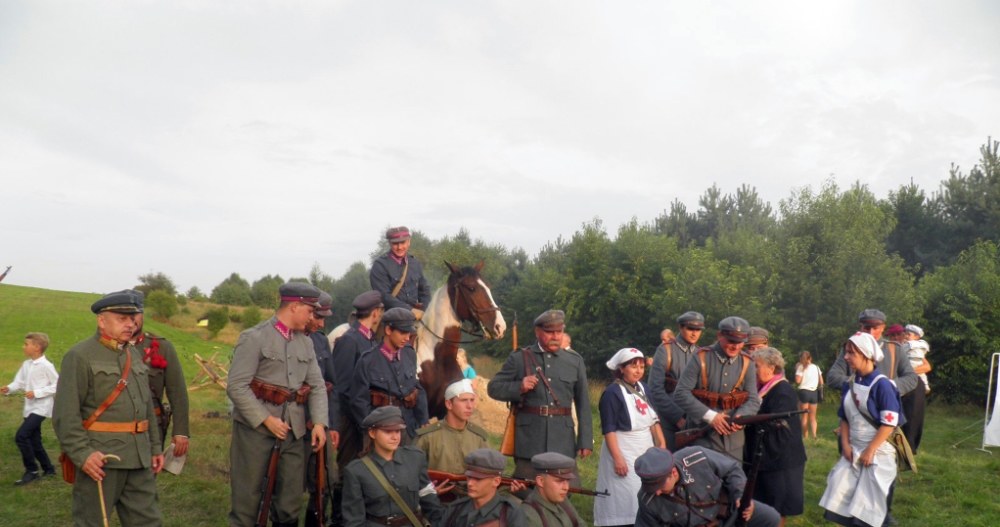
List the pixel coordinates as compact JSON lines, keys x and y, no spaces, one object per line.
{"x":803,"y":271}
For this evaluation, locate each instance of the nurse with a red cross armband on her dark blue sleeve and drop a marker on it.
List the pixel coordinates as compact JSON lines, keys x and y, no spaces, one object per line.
{"x":858,"y":485}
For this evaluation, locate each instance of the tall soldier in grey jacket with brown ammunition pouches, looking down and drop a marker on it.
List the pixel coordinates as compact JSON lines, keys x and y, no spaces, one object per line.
{"x":273,"y":377}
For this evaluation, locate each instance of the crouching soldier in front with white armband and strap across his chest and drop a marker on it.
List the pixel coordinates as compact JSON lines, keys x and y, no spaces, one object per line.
{"x":368,"y":480}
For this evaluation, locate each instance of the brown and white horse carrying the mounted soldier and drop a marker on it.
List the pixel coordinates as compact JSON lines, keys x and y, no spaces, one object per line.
{"x":465,"y":298}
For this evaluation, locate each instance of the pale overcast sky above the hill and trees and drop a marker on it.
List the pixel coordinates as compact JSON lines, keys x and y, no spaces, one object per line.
{"x":203,"y":137}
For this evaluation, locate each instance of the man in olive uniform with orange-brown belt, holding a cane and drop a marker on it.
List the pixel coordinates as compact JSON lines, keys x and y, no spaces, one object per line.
{"x":127,"y":428}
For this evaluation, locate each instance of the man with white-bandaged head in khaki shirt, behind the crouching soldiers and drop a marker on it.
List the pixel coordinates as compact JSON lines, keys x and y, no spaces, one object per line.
{"x":447,"y":442}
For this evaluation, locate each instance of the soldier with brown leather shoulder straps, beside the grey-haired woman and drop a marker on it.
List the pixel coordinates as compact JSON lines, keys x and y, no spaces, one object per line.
{"x":718,"y":383}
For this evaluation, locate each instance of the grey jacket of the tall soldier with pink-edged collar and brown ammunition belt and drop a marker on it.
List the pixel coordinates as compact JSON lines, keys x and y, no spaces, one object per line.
{"x":263,"y":353}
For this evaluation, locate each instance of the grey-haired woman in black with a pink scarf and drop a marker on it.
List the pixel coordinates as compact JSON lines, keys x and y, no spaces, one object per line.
{"x":783,"y":460}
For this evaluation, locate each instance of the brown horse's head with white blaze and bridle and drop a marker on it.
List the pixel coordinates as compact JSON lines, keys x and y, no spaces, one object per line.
{"x":473,"y":301}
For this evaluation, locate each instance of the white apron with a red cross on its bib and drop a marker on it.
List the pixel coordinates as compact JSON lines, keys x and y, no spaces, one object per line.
{"x":622,"y":505}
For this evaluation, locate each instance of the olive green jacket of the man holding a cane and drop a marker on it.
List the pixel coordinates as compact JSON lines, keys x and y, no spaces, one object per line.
{"x":89,"y":373}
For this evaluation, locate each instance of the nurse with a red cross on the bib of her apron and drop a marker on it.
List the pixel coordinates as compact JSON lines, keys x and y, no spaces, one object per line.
{"x":630,"y":427}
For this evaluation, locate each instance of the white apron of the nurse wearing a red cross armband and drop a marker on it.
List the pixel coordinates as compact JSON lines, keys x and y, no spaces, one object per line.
{"x":854,"y":490}
